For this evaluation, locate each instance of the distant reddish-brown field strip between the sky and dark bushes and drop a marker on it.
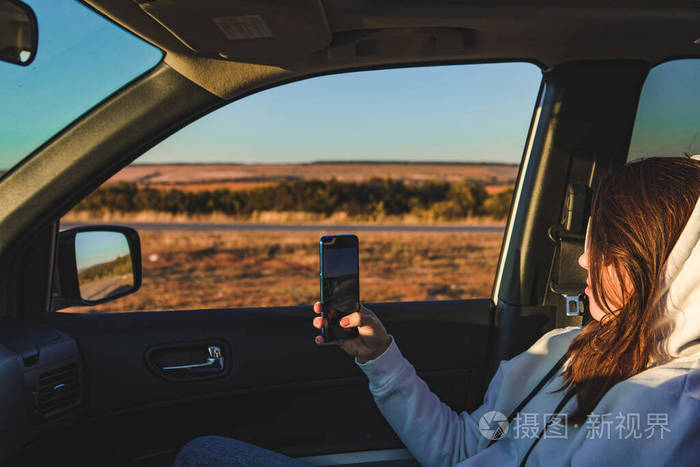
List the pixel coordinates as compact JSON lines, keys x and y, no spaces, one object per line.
{"x":246,"y":176}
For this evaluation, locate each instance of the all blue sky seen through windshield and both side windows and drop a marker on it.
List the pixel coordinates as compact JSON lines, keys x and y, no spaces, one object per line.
{"x":448,"y":113}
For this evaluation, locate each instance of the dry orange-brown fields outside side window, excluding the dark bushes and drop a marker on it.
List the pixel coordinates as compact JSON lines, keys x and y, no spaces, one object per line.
{"x":228,"y":269}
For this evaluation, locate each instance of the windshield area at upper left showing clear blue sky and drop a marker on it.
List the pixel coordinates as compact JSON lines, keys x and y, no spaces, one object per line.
{"x":82,"y":58}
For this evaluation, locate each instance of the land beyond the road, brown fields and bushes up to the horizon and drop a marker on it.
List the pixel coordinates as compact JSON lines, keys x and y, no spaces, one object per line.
{"x":304,"y":193}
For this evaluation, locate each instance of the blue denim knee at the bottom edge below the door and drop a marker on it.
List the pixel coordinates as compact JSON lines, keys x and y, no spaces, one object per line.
{"x":218,"y":451}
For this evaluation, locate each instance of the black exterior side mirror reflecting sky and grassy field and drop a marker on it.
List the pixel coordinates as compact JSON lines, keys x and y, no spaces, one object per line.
{"x":96,"y":264}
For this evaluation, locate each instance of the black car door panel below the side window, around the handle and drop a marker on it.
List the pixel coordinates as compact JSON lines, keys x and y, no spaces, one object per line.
{"x":283,"y":391}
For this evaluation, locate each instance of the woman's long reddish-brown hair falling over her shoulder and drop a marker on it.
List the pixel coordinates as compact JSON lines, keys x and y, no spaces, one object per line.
{"x":637,"y":215}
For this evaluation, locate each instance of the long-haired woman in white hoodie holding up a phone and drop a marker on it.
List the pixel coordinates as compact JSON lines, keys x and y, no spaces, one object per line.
{"x":624,"y":389}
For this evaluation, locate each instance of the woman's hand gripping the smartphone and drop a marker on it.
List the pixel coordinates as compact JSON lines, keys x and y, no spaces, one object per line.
{"x":372,"y":340}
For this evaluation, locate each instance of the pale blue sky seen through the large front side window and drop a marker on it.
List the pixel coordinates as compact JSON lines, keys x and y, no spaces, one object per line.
{"x":456,"y":113}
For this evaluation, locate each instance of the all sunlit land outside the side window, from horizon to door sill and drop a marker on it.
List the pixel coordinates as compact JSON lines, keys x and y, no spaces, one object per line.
{"x":193,"y":268}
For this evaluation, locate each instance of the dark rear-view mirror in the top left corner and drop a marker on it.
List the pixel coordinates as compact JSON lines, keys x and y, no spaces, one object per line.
{"x":19,"y":32}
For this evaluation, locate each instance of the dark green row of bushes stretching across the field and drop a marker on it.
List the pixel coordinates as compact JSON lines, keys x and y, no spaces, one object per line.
{"x":372,"y":198}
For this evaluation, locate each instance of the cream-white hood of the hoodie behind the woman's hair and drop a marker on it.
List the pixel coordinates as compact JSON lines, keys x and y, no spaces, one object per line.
{"x":680,"y":288}
